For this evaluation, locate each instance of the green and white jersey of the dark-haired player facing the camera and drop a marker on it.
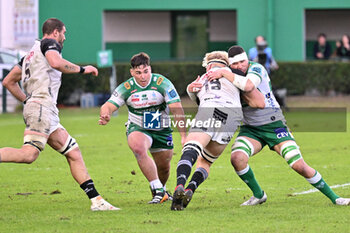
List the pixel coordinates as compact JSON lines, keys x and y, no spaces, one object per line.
{"x":155,"y":96}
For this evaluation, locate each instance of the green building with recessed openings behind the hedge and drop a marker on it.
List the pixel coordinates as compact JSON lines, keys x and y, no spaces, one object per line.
{"x":176,"y":30}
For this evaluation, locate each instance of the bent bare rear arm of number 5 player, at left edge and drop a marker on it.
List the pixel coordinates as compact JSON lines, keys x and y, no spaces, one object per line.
{"x":11,"y":83}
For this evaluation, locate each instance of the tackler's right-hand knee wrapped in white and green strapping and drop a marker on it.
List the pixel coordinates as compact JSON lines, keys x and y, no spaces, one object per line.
{"x":291,"y":153}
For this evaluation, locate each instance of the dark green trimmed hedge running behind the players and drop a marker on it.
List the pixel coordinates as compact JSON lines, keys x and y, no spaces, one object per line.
{"x":297,"y":77}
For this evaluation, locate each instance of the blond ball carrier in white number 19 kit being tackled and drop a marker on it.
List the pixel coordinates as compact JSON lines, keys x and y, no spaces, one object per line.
{"x":219,"y":100}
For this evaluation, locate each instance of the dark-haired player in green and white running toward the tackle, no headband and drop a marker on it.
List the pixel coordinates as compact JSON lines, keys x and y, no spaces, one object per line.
{"x":149,"y":97}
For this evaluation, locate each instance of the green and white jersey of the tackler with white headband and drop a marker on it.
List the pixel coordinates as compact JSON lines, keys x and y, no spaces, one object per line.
{"x":272,"y":111}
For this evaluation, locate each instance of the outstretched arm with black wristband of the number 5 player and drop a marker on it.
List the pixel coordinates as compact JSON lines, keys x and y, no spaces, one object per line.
{"x":67,"y":67}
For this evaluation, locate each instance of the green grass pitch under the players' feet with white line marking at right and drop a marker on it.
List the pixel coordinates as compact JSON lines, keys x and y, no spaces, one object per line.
{"x":43,"y":197}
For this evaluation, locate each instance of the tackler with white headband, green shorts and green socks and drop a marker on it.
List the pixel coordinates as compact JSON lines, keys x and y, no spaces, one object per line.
{"x":266,"y":127}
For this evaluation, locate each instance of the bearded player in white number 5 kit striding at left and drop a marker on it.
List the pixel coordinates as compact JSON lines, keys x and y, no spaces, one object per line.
{"x":40,"y":73}
